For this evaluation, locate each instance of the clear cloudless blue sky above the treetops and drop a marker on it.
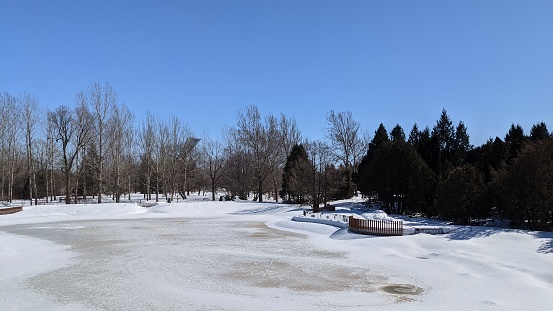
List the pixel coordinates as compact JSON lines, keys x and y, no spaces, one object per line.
{"x":488,"y":63}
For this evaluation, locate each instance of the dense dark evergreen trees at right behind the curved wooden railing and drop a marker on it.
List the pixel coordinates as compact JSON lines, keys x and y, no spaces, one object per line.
{"x":437,"y":173}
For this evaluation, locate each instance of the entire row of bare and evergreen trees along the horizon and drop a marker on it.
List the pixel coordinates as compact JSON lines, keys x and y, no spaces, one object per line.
{"x":96,"y":147}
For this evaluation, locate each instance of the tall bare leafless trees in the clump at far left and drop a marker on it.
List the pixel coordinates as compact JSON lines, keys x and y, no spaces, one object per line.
{"x":89,"y":150}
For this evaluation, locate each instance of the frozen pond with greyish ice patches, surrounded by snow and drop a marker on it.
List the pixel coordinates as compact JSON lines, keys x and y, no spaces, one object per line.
{"x":197,"y":264}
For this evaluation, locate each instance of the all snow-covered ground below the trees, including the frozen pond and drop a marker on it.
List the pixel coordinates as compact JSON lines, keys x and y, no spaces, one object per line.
{"x":203,"y":255}
